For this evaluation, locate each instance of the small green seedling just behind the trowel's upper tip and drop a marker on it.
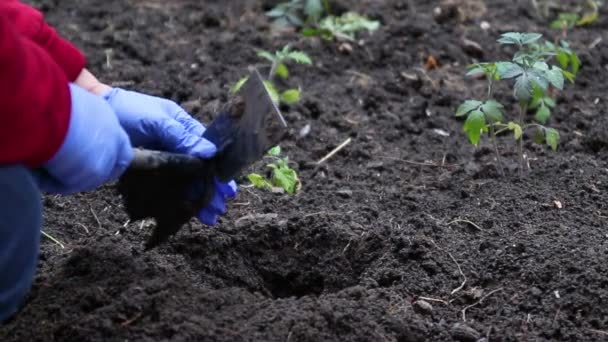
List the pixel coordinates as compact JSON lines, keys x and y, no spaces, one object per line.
{"x":278,"y":67}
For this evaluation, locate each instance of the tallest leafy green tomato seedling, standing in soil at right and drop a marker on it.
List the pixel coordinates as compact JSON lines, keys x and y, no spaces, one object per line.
{"x":537,"y":82}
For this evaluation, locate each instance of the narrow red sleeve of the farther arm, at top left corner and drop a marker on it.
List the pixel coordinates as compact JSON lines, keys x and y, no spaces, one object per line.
{"x":30,"y":23}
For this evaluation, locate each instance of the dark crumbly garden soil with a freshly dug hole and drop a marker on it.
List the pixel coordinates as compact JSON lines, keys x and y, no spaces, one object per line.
{"x":351,"y":256}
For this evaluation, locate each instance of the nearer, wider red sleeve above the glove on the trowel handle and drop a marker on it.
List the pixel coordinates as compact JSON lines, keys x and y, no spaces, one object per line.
{"x":35,"y":100}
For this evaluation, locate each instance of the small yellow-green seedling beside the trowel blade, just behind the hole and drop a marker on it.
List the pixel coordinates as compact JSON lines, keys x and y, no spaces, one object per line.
{"x":282,"y":176}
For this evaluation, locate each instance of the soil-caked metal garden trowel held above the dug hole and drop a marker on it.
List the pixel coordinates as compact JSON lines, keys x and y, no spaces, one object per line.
{"x":172,"y":188}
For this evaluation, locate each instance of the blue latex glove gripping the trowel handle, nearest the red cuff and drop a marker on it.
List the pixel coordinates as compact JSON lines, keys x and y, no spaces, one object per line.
{"x":96,"y":149}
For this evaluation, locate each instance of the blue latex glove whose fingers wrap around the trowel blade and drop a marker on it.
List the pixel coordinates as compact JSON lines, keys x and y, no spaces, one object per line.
{"x":161,"y":124}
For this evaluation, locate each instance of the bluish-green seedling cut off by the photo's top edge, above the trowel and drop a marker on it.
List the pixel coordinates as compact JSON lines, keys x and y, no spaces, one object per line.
{"x":298,"y":12}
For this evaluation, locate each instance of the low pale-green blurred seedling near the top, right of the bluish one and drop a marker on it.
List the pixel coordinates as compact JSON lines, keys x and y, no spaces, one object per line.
{"x":344,"y":27}
